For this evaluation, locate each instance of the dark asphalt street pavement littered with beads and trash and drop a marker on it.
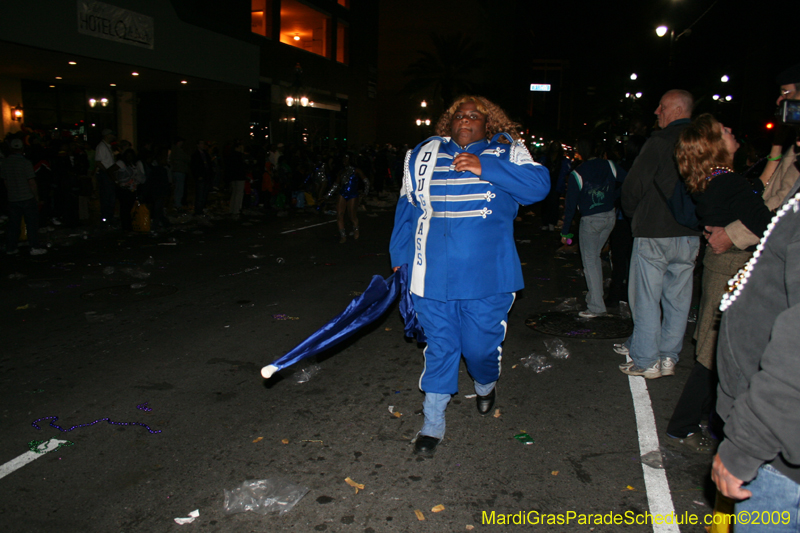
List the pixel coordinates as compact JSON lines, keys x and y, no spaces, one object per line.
{"x":160,"y":340}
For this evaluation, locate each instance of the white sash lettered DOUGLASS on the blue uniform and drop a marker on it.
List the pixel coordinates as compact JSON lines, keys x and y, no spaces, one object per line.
{"x":423,"y":171}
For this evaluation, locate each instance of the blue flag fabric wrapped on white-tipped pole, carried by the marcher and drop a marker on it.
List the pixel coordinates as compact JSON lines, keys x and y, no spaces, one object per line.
{"x":362,"y":311}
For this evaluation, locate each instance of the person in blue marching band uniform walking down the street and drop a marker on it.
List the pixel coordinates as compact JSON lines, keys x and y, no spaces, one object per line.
{"x":454,"y":228}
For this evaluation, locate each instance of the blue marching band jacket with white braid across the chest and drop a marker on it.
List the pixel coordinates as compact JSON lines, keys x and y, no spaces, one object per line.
{"x":455,"y":230}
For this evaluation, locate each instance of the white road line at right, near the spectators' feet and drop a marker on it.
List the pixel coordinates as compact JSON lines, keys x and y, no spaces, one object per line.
{"x":655,"y":479}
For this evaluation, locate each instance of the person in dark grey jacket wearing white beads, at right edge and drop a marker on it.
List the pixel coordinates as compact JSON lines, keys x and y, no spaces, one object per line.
{"x":758,"y":463}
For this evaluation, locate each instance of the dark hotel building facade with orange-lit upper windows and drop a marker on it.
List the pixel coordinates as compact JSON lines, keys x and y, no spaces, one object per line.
{"x":200,"y":69}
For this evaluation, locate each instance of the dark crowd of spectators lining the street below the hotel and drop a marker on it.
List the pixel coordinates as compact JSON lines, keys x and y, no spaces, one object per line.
{"x":102,"y":185}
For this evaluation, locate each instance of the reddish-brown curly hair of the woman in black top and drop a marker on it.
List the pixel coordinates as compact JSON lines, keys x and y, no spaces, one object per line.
{"x":699,"y":150}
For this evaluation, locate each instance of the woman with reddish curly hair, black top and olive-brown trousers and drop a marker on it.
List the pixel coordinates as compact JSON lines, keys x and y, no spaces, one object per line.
{"x":705,"y":159}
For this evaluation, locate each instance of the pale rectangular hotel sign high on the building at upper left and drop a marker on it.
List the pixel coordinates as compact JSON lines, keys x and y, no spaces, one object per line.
{"x":114,"y":23}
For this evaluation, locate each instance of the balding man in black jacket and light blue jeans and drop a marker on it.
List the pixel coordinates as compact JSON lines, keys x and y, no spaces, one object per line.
{"x":664,"y":252}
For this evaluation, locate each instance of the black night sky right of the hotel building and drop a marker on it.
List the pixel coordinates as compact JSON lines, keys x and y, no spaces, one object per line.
{"x":604,"y":42}
